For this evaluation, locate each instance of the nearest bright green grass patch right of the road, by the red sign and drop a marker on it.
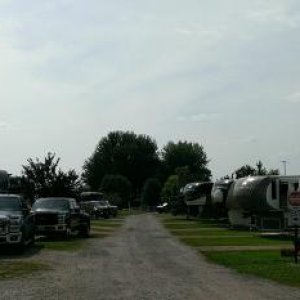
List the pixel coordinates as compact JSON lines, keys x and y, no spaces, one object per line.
{"x":266,"y":264}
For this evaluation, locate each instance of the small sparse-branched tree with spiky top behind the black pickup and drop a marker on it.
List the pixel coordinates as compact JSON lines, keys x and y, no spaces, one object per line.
{"x":46,"y":179}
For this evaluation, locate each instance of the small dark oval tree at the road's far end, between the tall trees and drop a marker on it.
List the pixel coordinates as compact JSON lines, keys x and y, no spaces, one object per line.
{"x":151,"y":192}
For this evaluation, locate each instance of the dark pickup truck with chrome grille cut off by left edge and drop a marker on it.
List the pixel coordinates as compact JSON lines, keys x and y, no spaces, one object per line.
{"x":16,"y":224}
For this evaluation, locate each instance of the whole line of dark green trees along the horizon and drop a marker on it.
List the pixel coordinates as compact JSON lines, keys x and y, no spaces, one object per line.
{"x":128,"y":168}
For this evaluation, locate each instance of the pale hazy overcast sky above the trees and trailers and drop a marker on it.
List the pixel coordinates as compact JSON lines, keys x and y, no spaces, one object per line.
{"x":224,"y":74}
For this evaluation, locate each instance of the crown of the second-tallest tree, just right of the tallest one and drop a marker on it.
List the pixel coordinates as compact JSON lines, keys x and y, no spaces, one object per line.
{"x":190,"y":156}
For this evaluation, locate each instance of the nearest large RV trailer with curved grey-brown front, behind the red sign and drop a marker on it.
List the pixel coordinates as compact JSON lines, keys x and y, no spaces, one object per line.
{"x":261,"y":202}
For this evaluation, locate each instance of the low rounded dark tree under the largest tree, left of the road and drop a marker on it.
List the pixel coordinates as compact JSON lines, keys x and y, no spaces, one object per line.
{"x":117,"y":188}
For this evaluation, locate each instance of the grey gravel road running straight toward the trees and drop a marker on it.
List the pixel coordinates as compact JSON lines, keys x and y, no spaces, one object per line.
{"x":141,"y":261}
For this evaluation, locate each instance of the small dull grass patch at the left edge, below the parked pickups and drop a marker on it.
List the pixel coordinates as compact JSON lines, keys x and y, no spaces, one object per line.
{"x":13,"y":269}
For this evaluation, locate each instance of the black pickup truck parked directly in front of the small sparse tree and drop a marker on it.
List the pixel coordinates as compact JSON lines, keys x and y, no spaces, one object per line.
{"x":60,"y":216}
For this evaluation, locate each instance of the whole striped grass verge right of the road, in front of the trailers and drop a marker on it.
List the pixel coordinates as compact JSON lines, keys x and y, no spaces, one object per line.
{"x":267,"y":264}
